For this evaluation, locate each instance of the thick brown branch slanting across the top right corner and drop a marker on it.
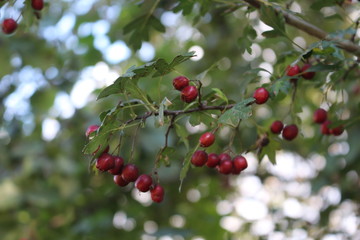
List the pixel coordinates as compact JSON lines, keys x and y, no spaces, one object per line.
{"x":311,"y":29}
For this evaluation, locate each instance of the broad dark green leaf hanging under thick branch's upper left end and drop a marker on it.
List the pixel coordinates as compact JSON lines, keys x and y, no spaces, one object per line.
{"x":270,"y":17}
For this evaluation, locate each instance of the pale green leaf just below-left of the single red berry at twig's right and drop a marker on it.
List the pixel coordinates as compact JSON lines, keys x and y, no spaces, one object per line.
{"x":240,"y":111}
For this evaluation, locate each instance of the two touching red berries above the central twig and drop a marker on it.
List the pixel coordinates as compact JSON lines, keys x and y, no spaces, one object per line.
{"x":188,"y":92}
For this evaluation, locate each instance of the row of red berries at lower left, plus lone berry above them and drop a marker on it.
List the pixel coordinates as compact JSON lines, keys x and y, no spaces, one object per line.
{"x":126,"y":173}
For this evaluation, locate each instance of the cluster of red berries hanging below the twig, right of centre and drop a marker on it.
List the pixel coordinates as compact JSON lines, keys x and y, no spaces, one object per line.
{"x":222,"y":162}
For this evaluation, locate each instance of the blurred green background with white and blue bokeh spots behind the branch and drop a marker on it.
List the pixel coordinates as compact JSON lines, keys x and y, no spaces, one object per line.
{"x":51,"y":71}
